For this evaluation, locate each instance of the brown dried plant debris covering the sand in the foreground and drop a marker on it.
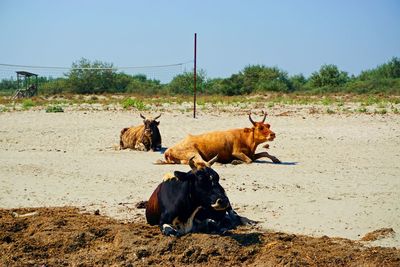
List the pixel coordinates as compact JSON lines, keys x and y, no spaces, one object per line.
{"x":64,"y":236}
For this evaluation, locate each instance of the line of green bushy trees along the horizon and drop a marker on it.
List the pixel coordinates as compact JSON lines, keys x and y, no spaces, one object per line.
{"x":86,"y":77}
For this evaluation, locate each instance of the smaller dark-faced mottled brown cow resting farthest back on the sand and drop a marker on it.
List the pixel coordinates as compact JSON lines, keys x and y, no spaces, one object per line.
{"x":142,"y":137}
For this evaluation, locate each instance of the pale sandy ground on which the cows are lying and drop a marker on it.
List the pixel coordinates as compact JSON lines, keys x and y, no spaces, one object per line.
{"x":340,"y":174}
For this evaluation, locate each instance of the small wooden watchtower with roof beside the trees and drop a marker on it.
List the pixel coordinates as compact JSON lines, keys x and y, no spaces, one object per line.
{"x":27,"y":84}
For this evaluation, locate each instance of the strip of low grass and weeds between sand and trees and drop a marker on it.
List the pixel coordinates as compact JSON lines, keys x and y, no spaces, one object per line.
{"x":330,"y":103}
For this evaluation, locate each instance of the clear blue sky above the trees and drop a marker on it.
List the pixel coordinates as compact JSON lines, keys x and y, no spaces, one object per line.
{"x":295,"y":36}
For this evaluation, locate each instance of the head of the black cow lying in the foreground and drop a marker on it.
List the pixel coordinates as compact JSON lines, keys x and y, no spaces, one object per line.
{"x":206,"y":190}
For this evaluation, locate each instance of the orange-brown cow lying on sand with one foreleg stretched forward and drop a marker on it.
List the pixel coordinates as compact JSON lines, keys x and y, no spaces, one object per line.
{"x":232,"y":146}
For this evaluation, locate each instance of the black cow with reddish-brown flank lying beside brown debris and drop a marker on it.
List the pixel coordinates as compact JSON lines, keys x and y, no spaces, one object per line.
{"x":192,"y":202}
